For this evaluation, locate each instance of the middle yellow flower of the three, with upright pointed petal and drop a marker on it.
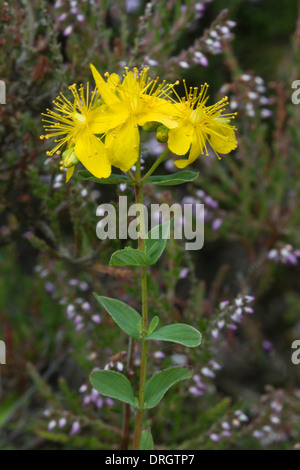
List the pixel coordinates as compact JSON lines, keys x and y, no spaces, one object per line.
{"x":129,"y":104}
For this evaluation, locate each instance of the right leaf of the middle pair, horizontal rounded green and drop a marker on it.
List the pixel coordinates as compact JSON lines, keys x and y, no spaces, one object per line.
{"x":177,"y":333}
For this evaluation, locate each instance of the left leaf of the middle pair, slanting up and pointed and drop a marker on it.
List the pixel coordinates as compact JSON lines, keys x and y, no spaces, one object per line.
{"x":128,"y":319}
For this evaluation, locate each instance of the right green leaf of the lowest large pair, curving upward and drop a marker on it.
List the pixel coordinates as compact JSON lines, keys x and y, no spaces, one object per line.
{"x":159,"y":384}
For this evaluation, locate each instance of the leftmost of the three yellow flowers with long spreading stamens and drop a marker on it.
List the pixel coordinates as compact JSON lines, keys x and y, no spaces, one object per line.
{"x":73,"y":124}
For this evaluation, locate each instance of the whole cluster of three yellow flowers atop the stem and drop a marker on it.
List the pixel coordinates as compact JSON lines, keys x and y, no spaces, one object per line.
{"x":102,"y":129}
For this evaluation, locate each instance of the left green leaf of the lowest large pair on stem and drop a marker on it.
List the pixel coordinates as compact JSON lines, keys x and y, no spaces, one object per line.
{"x":114,"y":385}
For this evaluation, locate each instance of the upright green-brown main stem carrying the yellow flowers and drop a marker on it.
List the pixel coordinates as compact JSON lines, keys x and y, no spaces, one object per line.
{"x":143,"y":368}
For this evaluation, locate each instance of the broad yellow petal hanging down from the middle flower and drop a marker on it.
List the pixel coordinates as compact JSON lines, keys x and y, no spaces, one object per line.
{"x":123,"y":145}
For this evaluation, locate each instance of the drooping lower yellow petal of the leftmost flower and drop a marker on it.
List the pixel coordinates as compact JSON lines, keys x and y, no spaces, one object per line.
{"x":91,"y":152}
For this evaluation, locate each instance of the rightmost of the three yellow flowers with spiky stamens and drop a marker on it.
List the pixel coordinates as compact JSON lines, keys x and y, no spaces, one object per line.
{"x":199,"y":124}
